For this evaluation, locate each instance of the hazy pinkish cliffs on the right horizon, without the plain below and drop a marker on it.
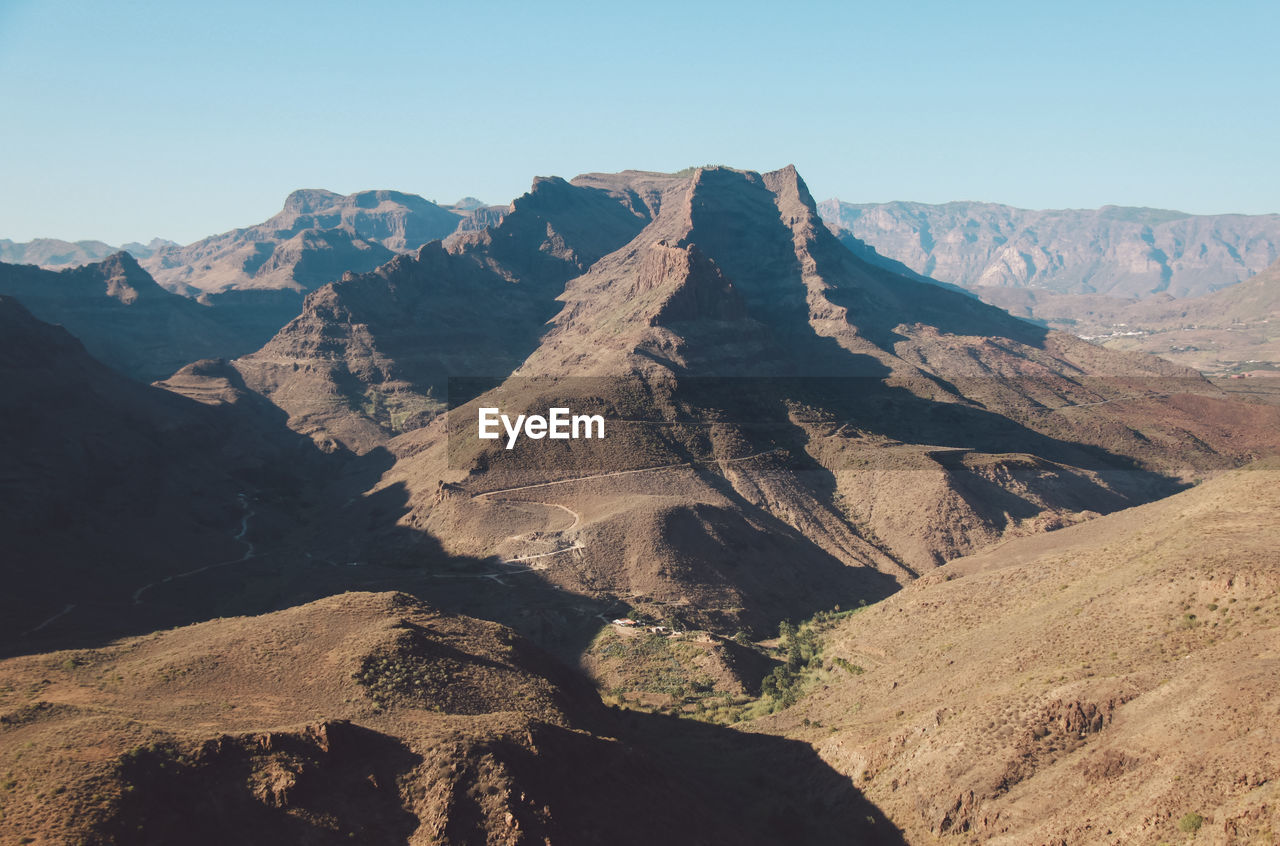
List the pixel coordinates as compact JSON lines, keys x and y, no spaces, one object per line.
{"x":1118,"y":251}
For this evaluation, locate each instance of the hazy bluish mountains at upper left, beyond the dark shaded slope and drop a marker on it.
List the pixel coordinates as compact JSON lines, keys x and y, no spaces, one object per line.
{"x":136,"y":308}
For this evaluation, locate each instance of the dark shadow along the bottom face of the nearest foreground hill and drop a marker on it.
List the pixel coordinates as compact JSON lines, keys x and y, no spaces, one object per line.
{"x":618,"y":778}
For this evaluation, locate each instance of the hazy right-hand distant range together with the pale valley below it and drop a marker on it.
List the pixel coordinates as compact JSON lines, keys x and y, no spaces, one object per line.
{"x":1126,"y":278}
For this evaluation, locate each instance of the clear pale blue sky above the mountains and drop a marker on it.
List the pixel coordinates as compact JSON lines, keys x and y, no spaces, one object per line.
{"x":131,"y":120}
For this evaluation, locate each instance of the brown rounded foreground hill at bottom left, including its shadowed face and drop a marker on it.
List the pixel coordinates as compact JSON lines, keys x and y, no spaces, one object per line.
{"x":373,"y":719}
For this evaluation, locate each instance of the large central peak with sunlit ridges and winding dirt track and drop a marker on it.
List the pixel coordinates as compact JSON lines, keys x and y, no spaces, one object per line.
{"x":775,"y":405}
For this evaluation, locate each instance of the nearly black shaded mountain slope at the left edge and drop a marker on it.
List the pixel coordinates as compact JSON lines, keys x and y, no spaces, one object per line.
{"x":109,"y":484}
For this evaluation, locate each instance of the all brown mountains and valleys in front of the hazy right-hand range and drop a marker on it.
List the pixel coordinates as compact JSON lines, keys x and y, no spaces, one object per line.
{"x":394,"y":630}
